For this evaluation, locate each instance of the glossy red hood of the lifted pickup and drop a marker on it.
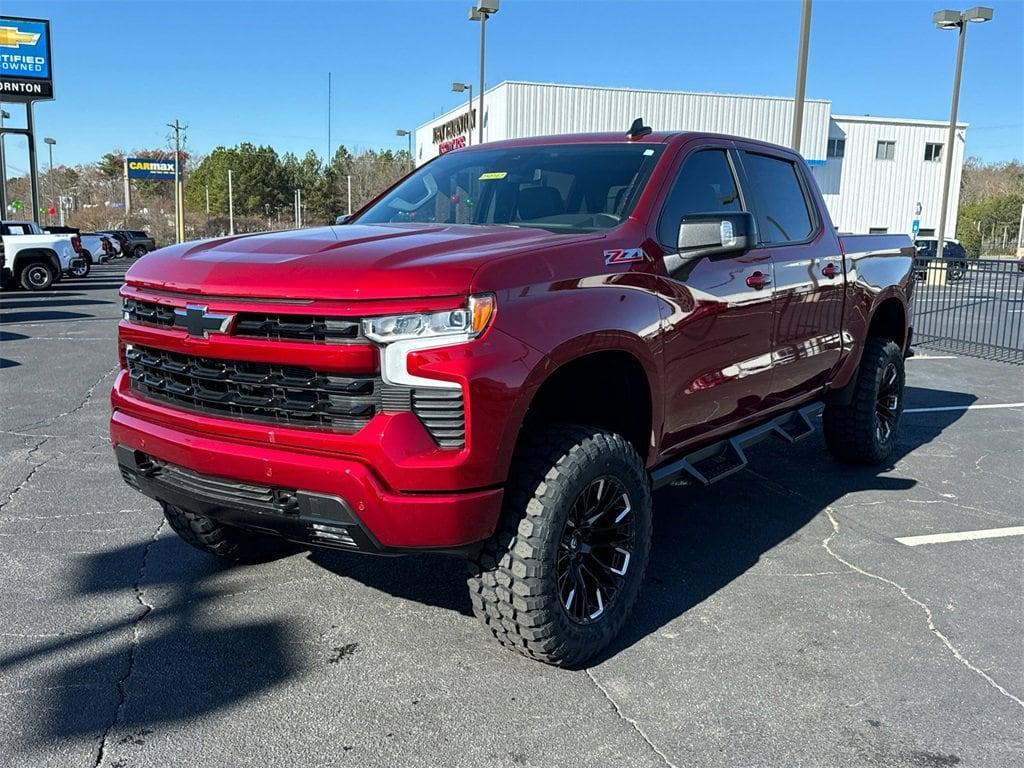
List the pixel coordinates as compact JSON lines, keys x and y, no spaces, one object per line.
{"x":350,"y":263}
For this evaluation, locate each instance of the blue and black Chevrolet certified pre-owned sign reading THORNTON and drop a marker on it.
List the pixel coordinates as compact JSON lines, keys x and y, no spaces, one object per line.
{"x":26,"y":69}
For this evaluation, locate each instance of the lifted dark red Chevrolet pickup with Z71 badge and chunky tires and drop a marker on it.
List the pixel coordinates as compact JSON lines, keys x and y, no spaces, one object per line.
{"x":502,"y":357}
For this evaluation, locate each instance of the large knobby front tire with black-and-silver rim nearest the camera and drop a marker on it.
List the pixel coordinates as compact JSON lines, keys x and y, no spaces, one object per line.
{"x":562,"y":575}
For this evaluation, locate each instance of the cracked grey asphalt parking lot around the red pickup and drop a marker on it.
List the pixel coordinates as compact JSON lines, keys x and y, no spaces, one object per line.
{"x":783,"y":623}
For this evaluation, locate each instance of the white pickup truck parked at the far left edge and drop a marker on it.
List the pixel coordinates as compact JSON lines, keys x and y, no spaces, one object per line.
{"x":37,"y":260}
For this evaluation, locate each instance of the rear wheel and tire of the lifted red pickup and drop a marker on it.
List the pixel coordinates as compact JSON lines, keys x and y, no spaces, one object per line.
{"x":866,"y":431}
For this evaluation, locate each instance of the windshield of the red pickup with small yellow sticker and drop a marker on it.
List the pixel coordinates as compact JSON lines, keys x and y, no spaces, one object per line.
{"x":564,"y":189}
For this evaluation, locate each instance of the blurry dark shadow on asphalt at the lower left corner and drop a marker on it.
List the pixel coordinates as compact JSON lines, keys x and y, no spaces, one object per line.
{"x":182,"y":661}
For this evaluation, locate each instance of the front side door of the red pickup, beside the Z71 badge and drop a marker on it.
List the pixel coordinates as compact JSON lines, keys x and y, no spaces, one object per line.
{"x":716,"y":310}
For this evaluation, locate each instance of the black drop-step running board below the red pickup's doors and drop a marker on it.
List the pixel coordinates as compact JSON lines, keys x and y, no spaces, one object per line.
{"x":724,"y":458}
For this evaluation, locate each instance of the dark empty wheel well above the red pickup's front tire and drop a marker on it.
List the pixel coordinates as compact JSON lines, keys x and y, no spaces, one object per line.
{"x":603,"y":390}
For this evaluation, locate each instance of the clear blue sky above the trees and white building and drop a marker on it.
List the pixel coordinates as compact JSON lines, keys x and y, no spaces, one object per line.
{"x":258,"y":71}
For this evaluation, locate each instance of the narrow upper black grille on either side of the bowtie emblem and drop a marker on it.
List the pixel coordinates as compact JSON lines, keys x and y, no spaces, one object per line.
{"x":261,"y":325}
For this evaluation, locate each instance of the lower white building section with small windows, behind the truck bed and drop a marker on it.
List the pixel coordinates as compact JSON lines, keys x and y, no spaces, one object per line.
{"x":864,"y":193}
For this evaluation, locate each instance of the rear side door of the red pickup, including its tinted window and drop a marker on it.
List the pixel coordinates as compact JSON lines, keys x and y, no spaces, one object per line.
{"x":808,"y":267}
